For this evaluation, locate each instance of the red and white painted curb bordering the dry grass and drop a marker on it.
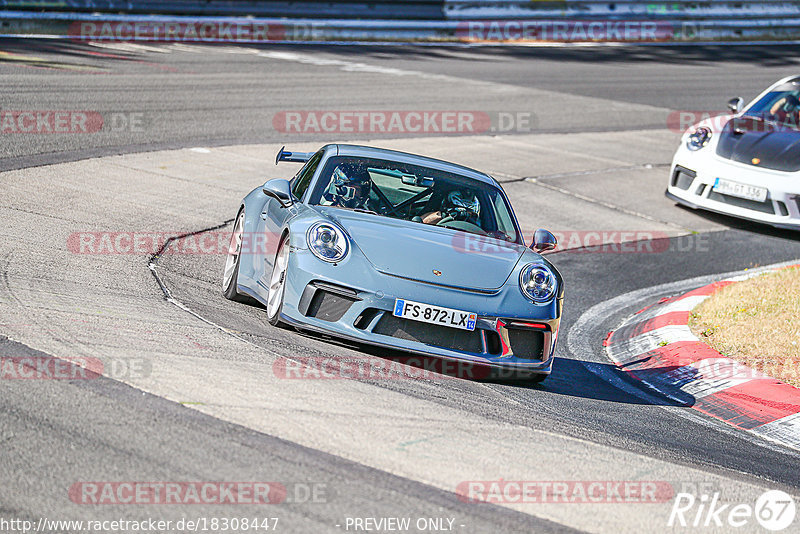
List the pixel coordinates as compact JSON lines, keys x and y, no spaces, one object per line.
{"x":657,"y":347}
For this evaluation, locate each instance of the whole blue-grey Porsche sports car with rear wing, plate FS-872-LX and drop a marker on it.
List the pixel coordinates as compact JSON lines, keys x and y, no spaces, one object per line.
{"x":401,"y":251}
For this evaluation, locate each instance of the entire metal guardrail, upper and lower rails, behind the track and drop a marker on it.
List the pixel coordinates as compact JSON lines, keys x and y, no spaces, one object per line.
{"x":466,"y":21}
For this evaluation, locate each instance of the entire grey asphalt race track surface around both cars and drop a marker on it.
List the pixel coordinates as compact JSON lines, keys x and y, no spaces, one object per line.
{"x":55,"y":433}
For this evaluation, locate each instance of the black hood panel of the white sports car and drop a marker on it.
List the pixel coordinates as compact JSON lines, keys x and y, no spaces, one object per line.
{"x":744,"y":139}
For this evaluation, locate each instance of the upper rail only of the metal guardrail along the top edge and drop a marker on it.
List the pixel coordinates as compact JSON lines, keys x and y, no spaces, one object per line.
{"x":427,"y":9}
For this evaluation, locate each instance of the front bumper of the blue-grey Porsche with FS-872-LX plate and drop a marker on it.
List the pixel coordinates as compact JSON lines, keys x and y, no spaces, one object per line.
{"x":326,"y":299}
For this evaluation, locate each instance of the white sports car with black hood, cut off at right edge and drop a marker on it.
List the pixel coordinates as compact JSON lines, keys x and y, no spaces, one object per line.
{"x":746,"y":164}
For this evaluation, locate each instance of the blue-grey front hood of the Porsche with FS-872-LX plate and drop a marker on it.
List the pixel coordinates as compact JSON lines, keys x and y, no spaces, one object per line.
{"x":419,"y":251}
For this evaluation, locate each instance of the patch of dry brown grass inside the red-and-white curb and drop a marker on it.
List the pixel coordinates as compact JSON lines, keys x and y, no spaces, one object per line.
{"x":756,"y":322}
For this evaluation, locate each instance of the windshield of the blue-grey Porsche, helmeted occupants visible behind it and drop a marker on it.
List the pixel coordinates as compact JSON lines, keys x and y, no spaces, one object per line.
{"x":415,"y":193}
